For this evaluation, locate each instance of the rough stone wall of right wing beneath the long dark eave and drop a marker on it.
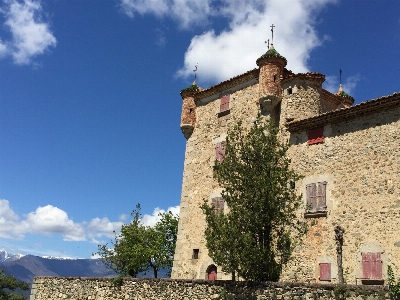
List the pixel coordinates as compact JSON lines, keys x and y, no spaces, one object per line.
{"x":361,"y":159}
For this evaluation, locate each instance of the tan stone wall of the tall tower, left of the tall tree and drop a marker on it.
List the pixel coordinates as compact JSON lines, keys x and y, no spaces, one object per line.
{"x":198,"y":183}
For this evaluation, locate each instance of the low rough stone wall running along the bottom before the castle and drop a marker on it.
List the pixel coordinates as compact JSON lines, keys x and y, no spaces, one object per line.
{"x":77,"y":288}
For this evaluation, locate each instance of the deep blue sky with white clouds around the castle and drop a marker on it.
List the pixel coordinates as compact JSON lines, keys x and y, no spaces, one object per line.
{"x":90,"y":105}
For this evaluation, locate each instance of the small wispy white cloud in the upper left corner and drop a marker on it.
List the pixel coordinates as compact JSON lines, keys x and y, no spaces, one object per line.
{"x":30,"y":35}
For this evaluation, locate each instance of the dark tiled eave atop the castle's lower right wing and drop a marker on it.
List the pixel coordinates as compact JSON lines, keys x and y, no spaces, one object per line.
{"x":343,"y":114}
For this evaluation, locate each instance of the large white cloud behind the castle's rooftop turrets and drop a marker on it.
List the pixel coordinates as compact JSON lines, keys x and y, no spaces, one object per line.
{"x":224,"y":54}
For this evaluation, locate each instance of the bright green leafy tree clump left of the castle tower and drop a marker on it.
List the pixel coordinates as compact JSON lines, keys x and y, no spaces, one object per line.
{"x":139,"y":248}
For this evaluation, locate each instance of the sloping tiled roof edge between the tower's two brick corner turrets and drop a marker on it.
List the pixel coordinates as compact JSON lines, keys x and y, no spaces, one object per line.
{"x":227,"y":84}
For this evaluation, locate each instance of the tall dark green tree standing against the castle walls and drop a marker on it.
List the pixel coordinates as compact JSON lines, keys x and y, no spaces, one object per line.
{"x":257,"y":234}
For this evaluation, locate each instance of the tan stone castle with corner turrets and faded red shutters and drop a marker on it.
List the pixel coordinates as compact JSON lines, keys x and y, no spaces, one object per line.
{"x":348,"y":154}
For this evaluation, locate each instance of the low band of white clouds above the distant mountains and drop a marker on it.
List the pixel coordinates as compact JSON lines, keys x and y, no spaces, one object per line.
{"x":50,"y":220}
